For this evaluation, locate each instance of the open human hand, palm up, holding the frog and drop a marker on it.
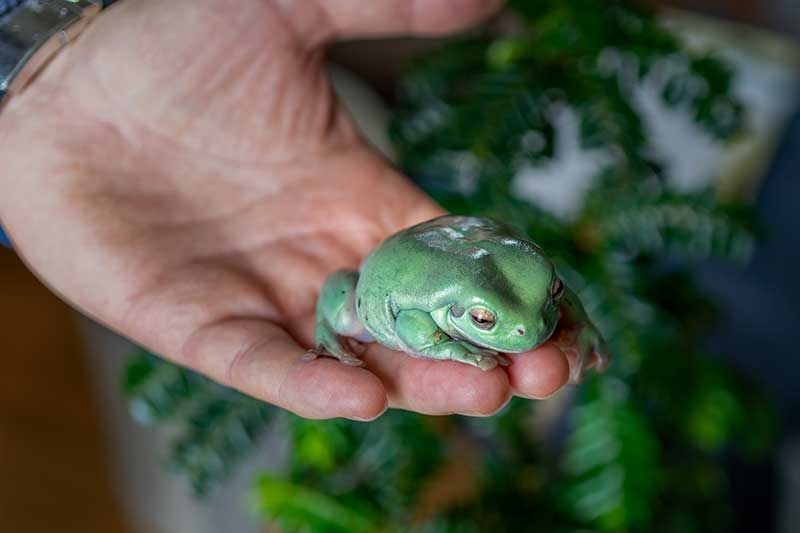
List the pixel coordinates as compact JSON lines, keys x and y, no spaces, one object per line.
{"x":183,"y":174}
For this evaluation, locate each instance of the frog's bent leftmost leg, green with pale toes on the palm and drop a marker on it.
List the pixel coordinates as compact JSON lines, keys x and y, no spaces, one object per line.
{"x":336,"y":317}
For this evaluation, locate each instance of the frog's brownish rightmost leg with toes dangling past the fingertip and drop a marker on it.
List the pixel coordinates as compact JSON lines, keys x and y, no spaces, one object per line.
{"x":578,"y":336}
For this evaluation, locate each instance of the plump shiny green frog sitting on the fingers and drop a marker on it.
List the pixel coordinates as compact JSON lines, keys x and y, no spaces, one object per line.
{"x":469,"y":289}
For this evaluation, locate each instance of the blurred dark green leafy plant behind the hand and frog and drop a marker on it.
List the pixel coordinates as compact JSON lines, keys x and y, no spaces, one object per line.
{"x":638,"y":449}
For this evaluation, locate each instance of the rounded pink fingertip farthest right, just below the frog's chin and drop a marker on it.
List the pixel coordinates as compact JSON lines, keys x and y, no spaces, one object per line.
{"x":539,"y":373}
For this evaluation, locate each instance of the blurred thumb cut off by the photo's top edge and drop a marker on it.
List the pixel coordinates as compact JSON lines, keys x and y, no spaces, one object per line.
{"x":356,"y":18}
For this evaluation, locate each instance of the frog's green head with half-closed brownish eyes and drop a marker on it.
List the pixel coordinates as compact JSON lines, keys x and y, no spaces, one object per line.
{"x":514,"y":317}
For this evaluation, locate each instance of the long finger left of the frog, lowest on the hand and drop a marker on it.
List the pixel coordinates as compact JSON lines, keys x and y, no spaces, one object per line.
{"x":262,"y":360}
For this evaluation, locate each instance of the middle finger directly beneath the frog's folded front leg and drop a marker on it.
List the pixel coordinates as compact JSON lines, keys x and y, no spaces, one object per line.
{"x":438,"y":387}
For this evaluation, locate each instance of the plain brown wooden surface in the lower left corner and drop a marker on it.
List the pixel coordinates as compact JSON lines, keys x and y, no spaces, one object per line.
{"x":53,"y":473}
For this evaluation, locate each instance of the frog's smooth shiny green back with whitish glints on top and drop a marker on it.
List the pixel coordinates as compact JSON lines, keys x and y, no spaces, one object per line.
{"x":420,"y":267}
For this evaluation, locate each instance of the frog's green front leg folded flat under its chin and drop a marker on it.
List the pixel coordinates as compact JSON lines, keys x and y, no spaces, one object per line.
{"x":424,"y":338}
